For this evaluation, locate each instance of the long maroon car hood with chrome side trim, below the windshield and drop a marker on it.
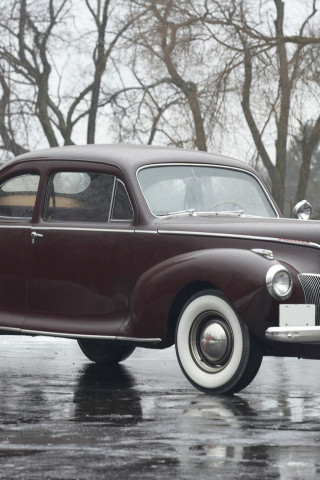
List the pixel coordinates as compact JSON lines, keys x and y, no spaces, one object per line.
{"x":272,"y":229}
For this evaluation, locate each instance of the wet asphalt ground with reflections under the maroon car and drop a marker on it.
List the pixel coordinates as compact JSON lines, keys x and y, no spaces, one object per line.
{"x":64,"y":418}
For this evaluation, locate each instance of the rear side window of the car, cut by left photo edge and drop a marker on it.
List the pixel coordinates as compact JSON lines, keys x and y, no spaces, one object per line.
{"x":18,"y":196}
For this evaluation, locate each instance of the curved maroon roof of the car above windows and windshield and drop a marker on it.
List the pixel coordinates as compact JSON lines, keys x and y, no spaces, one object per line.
{"x":130,"y":157}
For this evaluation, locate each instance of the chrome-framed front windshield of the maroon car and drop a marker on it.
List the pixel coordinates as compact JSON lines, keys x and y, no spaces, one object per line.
{"x":171,"y":189}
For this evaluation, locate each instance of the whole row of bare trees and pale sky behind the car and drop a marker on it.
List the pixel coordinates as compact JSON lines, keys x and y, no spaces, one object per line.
{"x":218,"y":75}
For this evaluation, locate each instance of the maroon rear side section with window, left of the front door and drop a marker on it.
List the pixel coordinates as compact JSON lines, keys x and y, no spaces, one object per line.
{"x":18,"y":191}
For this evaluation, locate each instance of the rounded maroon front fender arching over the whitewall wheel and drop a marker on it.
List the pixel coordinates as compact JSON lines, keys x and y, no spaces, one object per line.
{"x":239,"y":274}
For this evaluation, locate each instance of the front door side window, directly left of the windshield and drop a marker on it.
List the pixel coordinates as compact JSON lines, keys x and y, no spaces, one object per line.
{"x":79,"y":196}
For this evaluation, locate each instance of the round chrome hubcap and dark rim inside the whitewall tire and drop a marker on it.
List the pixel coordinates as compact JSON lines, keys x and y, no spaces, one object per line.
{"x":211,"y":341}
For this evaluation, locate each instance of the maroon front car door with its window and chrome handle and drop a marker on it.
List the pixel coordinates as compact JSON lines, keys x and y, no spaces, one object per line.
{"x":81,"y":256}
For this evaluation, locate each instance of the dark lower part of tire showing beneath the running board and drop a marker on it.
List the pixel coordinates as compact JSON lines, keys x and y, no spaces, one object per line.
{"x":104,"y":352}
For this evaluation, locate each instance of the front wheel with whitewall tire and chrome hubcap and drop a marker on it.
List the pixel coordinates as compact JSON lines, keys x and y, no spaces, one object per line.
{"x":215,"y":350}
